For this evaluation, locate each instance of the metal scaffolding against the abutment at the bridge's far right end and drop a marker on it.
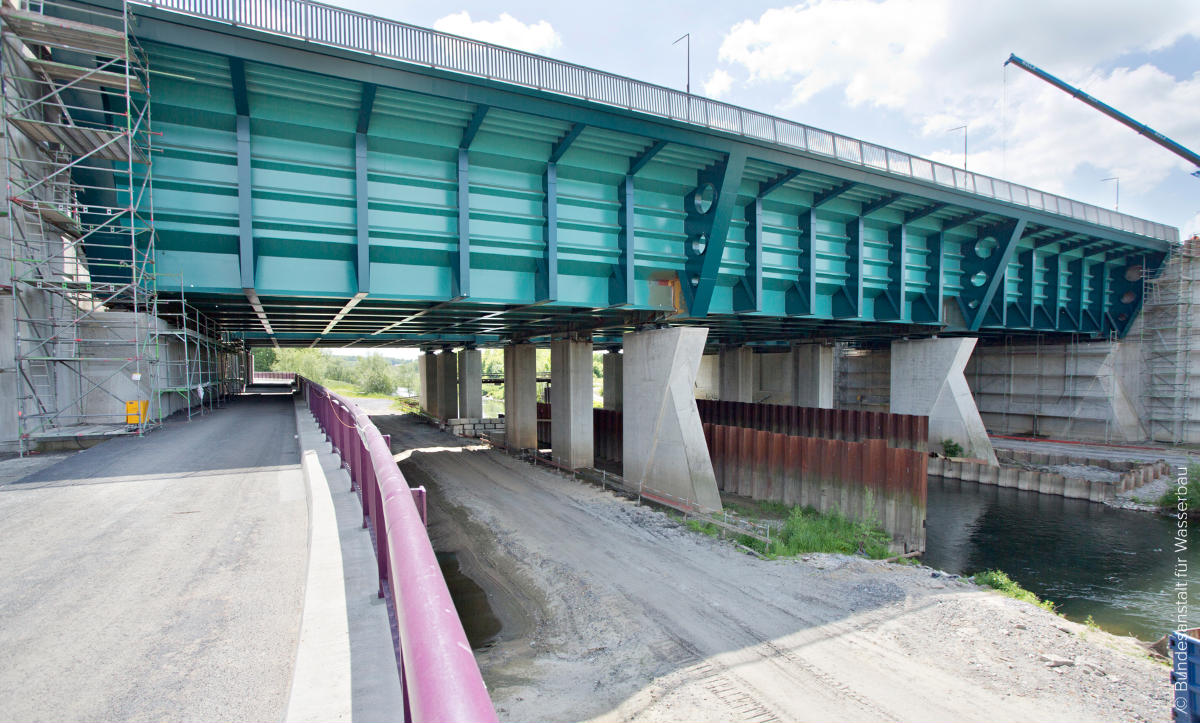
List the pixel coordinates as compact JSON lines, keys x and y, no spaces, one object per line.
{"x":1168,"y":340}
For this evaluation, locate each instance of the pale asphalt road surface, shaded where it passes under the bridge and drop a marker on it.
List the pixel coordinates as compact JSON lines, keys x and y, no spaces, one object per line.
{"x":158,"y":578}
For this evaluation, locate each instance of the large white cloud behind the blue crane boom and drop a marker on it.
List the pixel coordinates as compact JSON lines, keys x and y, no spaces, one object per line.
{"x":938,"y":64}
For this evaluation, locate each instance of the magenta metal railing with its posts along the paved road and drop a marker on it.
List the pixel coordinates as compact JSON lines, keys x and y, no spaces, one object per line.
{"x":437,"y":668}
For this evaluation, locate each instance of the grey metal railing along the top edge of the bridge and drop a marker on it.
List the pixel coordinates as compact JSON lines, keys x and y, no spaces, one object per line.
{"x":328,"y":26}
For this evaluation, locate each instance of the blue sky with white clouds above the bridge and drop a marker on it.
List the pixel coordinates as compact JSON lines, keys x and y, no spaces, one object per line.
{"x":903,"y":74}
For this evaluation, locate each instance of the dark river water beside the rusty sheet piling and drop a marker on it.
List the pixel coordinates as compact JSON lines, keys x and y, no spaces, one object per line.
{"x":1118,"y":566}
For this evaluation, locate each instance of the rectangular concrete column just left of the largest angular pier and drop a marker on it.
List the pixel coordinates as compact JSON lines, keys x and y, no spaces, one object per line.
{"x":571,"y":403}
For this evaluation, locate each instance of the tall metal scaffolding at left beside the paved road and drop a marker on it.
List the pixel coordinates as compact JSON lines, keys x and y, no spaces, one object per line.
{"x":80,"y":218}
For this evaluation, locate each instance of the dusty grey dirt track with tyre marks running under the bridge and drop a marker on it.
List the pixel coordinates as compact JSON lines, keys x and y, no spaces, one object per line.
{"x":613,"y":612}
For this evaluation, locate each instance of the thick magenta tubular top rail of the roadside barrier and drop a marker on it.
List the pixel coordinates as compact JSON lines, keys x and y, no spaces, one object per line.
{"x":441,"y":678}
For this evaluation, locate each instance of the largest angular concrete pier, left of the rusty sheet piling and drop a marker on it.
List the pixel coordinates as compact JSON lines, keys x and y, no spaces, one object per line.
{"x":664,"y":440}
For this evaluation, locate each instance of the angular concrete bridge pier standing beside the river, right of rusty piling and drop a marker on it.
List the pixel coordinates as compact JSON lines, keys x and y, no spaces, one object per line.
{"x":927,"y":379}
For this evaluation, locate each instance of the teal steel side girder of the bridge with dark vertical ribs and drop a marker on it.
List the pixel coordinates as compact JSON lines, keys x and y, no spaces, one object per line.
{"x":315,"y":196}
